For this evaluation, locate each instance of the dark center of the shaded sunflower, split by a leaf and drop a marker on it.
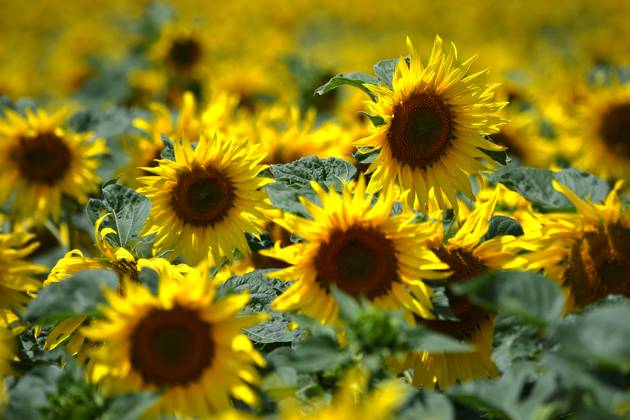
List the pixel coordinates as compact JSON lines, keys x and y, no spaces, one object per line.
{"x":470,"y":317}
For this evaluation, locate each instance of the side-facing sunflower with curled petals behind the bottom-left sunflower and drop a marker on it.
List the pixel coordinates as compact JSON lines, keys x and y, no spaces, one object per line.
{"x":117,"y":259}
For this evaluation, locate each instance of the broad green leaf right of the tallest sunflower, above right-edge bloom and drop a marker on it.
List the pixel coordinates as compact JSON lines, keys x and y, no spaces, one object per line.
{"x":536,"y":185}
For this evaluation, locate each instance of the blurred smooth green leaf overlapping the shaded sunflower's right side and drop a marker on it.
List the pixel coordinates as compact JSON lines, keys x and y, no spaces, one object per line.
{"x":527,"y":295}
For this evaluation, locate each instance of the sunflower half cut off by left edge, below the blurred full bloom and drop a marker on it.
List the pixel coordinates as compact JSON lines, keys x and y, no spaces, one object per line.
{"x":18,"y":277}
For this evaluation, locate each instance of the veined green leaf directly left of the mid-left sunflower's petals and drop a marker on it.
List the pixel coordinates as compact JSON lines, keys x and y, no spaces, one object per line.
{"x":128,"y":209}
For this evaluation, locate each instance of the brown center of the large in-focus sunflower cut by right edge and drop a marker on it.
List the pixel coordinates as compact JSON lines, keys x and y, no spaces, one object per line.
{"x":599,"y":265}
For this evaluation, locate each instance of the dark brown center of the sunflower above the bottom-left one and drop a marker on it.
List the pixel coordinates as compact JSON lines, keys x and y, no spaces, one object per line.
{"x":202,"y":197}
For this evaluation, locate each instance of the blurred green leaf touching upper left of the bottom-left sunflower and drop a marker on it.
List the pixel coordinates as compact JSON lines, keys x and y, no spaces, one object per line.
{"x":77,"y":295}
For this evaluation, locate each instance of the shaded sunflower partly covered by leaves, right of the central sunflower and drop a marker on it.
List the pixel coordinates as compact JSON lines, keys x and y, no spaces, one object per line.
{"x":467,"y":256}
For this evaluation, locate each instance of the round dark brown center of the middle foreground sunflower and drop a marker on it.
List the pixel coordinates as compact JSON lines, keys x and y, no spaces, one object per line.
{"x":360,"y":261}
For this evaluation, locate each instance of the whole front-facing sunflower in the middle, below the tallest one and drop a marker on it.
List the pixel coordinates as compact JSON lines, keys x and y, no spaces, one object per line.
{"x":359,"y":248}
